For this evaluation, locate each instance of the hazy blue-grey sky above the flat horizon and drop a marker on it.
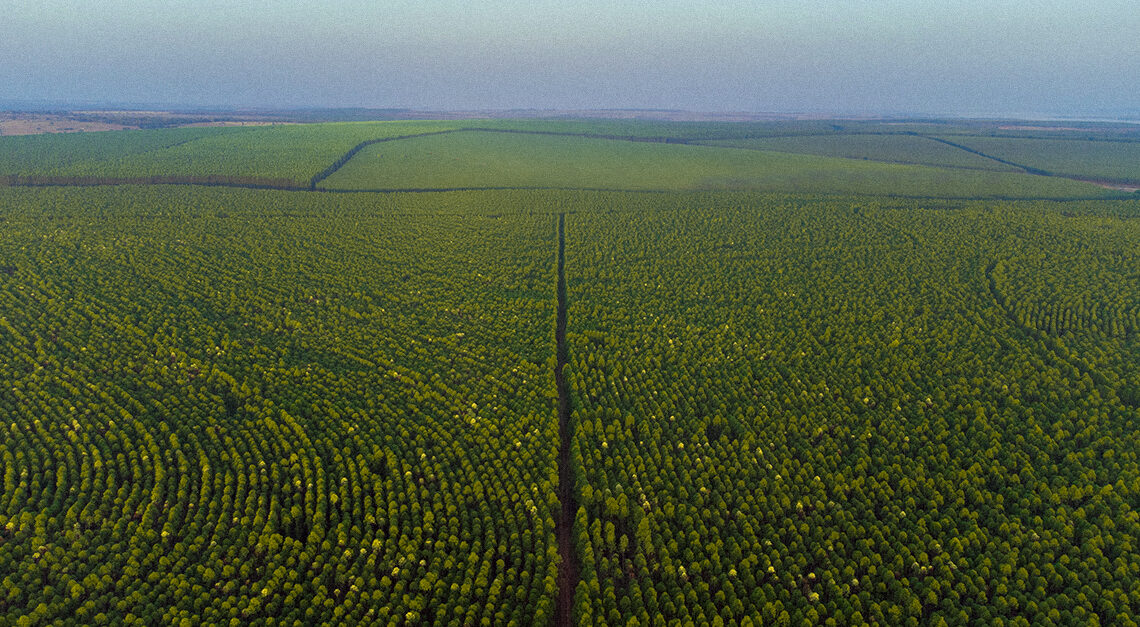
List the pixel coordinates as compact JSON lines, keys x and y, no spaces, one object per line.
{"x":834,"y":56}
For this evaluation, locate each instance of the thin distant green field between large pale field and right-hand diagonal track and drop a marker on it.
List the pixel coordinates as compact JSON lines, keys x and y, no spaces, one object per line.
{"x":893,"y":149}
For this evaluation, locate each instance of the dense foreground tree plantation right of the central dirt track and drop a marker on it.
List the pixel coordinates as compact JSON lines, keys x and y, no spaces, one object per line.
{"x":800,"y":412}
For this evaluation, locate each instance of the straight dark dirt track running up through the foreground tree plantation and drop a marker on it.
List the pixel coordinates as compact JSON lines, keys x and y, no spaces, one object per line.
{"x":568,"y":568}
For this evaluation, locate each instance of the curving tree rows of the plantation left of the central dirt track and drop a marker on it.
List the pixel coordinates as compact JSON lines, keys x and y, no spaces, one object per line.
{"x":239,"y":405}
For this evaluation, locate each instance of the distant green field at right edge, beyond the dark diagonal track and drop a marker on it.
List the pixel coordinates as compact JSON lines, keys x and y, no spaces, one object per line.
{"x":1098,"y":160}
